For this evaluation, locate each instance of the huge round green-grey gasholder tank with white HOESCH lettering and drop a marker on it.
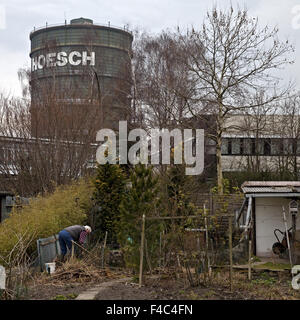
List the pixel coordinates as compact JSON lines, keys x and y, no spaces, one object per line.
{"x":85,"y":69}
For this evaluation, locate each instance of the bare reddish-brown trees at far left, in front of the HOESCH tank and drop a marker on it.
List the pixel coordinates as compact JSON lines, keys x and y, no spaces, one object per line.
{"x":48,"y":140}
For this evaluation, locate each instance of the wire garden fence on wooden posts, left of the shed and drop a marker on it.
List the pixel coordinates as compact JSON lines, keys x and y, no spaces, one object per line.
{"x":194,"y":246}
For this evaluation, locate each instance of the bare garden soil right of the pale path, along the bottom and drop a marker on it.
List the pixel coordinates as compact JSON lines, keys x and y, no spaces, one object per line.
{"x":218,"y":289}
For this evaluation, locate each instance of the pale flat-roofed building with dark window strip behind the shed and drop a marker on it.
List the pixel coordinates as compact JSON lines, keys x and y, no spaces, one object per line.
{"x":261,"y":143}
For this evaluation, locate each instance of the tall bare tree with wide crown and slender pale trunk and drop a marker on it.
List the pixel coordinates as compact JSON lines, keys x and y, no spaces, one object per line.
{"x":231,"y":60}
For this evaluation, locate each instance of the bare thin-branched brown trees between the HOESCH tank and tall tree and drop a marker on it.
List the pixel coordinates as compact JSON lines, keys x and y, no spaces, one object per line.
{"x":159,"y":76}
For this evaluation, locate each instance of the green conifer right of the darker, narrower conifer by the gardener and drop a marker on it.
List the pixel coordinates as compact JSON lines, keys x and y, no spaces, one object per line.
{"x":141,"y":198}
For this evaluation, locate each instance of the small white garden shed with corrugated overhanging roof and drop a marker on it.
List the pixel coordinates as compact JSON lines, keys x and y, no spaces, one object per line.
{"x":270,"y":206}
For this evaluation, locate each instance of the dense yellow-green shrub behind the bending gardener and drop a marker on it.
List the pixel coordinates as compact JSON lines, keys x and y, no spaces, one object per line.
{"x":44,"y":216}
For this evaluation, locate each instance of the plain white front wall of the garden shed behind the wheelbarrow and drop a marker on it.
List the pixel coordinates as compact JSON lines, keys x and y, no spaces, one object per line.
{"x":269,"y":217}
